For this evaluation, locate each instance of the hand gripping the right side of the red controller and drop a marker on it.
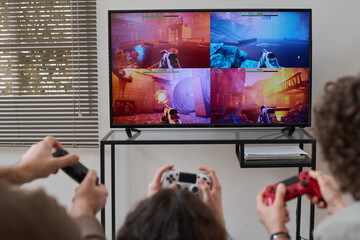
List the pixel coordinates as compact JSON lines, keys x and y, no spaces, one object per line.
{"x":335,"y":200}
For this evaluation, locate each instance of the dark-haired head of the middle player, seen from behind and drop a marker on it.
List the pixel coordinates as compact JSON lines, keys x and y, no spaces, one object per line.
{"x":171,"y":215}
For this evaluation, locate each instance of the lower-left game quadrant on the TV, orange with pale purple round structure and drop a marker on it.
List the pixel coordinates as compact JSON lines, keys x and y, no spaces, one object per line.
{"x":142,"y":96}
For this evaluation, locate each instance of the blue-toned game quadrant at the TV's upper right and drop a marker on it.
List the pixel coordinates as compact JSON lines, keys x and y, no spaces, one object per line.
{"x":259,"y":40}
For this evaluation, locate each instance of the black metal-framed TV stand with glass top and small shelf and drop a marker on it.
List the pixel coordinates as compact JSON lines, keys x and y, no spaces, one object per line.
{"x":240,"y":138}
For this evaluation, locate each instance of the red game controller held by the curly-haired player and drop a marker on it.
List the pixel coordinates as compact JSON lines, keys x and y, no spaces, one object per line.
{"x":295,"y":186}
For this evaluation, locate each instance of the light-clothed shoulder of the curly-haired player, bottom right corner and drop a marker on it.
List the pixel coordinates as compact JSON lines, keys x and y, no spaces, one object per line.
{"x":344,"y":224}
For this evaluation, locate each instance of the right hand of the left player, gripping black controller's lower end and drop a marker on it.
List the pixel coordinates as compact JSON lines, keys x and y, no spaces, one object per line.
{"x":89,"y":198}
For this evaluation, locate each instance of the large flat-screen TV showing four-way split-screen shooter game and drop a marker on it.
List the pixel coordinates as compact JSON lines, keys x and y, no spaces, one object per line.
{"x":210,"y":68}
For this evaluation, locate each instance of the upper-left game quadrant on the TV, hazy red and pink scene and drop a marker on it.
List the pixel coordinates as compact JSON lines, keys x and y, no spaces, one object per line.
{"x":160,"y":40}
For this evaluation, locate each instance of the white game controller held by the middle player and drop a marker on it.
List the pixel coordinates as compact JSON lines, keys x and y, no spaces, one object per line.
{"x":186,"y":181}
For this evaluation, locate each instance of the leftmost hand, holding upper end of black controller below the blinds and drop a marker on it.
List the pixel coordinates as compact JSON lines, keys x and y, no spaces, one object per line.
{"x":38,"y":161}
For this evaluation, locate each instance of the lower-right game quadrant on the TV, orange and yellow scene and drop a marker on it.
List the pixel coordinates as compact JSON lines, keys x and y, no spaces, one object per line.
{"x":264,"y":96}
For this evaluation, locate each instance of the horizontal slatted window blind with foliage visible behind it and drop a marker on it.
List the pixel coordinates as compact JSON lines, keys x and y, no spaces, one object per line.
{"x":48,"y":72}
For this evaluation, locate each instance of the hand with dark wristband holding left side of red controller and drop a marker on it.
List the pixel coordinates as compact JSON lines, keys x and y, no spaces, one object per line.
{"x":273,"y":217}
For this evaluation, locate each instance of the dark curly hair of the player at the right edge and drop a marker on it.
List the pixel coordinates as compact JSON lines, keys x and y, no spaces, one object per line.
{"x":337,"y":120}
